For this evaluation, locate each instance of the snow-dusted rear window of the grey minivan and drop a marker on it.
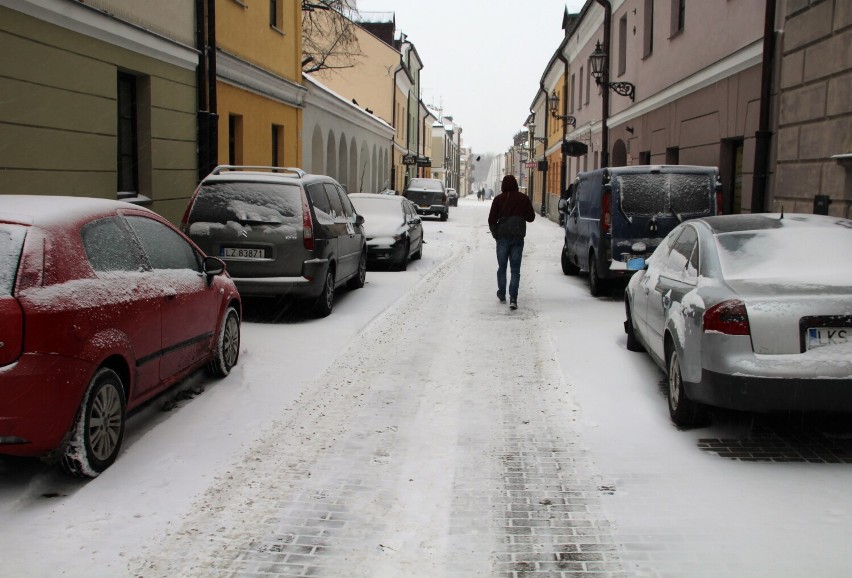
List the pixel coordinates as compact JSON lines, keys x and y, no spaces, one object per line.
{"x":248,"y":203}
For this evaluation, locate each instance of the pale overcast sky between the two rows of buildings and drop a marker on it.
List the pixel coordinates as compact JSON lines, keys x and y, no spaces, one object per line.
{"x":483,"y":59}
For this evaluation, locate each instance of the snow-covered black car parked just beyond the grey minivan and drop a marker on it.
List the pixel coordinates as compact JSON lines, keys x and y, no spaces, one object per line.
{"x":394,"y":229}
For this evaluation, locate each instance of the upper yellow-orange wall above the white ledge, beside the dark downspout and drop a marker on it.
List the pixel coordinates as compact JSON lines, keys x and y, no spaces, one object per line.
{"x":243,"y":29}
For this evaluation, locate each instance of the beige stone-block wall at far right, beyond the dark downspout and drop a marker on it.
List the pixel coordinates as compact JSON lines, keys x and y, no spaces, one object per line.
{"x":814,"y":136}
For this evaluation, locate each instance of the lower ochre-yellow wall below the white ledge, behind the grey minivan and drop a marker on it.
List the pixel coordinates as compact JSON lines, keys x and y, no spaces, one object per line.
{"x":253,"y":137}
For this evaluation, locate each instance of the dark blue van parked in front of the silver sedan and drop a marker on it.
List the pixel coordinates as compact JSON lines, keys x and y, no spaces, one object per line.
{"x":612,"y":215}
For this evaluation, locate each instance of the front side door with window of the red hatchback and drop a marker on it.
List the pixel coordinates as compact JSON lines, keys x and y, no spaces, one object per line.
{"x":190,"y":307}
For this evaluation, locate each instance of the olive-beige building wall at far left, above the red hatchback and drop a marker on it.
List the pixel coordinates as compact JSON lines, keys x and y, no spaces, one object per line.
{"x":63,"y":119}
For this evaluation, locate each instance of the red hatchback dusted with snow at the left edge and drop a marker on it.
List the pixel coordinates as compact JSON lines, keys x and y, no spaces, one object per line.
{"x":103,"y":305}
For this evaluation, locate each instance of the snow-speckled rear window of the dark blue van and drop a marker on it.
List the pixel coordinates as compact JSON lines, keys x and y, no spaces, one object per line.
{"x":656,"y":194}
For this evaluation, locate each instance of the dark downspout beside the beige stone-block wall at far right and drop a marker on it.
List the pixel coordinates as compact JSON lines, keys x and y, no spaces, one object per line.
{"x":763,"y":136}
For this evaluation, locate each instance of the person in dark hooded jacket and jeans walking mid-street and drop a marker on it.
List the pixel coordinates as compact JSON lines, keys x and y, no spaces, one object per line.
{"x":510,"y":212}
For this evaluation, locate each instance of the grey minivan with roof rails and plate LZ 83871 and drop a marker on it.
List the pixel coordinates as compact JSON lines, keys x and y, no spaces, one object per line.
{"x":282,"y":232}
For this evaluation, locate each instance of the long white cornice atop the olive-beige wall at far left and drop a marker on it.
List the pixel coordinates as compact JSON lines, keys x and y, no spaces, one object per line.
{"x":93,"y":23}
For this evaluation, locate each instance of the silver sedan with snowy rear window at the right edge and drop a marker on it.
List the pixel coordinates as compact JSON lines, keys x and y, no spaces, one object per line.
{"x":748,"y":312}
